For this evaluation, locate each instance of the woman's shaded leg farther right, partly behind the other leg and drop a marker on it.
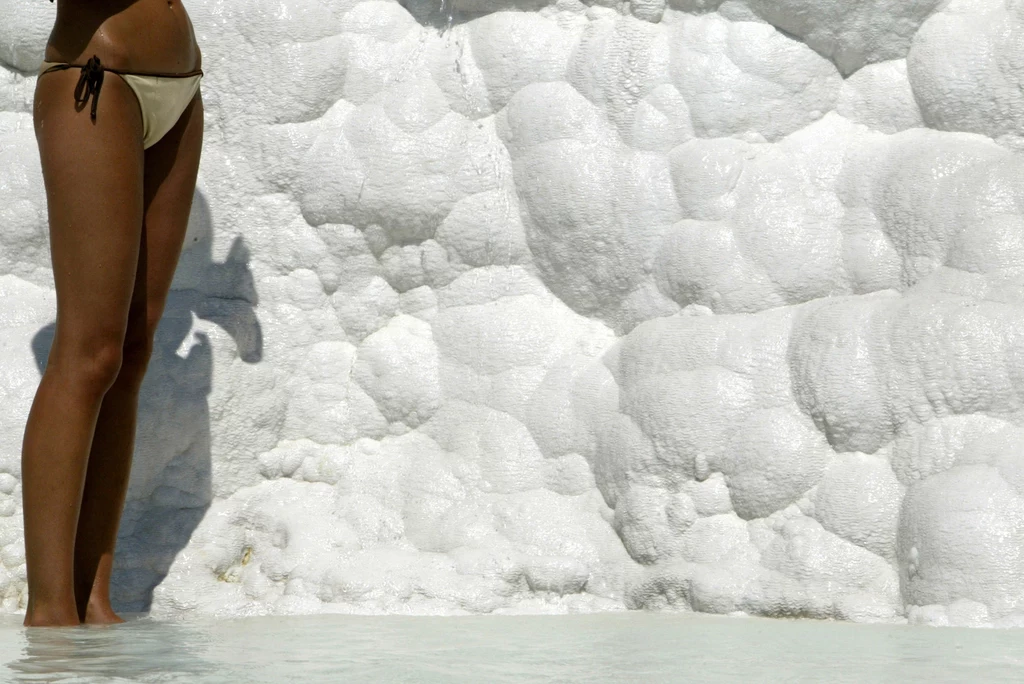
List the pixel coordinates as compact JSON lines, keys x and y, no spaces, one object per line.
{"x":172,"y":167}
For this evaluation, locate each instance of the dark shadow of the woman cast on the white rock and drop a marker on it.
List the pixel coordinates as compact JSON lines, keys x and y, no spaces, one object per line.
{"x":170,"y":488}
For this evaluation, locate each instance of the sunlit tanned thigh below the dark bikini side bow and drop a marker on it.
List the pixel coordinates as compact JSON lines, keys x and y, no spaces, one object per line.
{"x":93,"y":172}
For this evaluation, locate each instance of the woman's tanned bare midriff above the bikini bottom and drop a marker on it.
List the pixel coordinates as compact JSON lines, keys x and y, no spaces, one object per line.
{"x":129,"y":35}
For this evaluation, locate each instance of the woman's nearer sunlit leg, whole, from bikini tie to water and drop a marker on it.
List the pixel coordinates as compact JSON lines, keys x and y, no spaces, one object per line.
{"x":94,"y":174}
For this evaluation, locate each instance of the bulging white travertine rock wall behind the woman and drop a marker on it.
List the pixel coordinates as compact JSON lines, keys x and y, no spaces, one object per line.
{"x":690,"y":305}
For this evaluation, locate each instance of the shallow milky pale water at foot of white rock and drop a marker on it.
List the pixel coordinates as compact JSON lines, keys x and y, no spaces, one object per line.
{"x":610,"y":648}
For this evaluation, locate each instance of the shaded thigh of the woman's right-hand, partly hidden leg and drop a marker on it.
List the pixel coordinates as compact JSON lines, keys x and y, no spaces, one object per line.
{"x":172,"y":168}
